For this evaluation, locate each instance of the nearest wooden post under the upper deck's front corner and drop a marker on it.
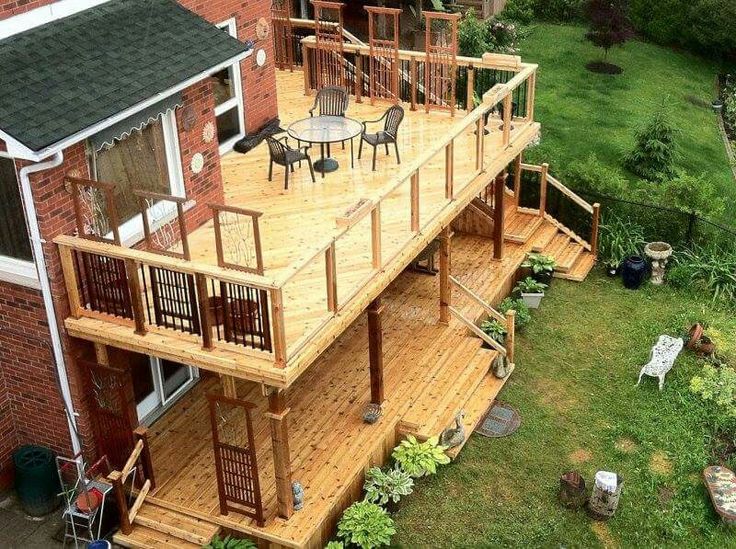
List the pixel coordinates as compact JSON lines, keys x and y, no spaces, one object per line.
{"x":277,"y":415}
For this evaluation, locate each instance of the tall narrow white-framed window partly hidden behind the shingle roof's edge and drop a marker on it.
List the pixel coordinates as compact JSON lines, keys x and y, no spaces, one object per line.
{"x":228,"y":99}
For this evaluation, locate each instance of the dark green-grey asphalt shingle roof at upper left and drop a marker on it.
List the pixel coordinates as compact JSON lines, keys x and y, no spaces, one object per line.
{"x":67,"y":75}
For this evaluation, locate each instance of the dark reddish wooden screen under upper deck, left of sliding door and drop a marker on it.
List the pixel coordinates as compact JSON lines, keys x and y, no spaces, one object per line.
{"x":114,"y":416}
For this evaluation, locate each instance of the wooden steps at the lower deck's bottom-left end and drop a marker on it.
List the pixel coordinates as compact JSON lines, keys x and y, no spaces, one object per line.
{"x":157,"y":527}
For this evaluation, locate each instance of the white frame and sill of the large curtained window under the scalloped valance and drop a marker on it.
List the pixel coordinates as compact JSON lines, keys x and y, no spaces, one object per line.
{"x":131,"y":232}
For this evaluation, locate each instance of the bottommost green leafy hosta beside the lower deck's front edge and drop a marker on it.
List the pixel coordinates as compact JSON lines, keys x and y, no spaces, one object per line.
{"x":366,"y":525}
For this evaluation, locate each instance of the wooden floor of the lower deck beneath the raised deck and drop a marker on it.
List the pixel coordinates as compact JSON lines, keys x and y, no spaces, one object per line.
{"x":431,"y":372}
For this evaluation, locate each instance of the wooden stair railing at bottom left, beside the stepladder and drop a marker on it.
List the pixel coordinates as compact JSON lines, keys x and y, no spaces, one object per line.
{"x":139,"y":466}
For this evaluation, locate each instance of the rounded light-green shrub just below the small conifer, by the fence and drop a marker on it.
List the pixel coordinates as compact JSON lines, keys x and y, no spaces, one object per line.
{"x":692,"y":194}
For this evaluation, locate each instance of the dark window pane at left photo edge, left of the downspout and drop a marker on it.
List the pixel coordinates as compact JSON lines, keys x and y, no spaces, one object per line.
{"x":14,"y":241}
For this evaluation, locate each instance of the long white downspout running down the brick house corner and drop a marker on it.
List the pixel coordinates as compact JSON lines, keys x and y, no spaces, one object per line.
{"x":43,"y":278}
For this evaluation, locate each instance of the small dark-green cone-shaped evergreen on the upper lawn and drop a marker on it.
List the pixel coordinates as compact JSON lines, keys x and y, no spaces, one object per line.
{"x":654,"y":153}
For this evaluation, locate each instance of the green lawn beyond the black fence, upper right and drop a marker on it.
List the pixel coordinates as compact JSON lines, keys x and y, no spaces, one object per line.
{"x":583,"y":113}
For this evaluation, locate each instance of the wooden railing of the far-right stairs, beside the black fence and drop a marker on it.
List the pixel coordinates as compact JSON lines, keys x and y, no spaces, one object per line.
{"x":546,"y":184}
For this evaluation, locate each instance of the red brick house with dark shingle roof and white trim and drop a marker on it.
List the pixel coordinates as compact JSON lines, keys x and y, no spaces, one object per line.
{"x":144,"y":92}
